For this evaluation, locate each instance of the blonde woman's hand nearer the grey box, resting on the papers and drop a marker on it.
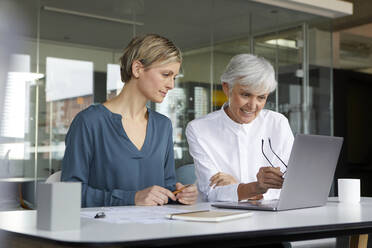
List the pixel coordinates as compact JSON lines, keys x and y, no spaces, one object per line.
{"x":153,"y":196}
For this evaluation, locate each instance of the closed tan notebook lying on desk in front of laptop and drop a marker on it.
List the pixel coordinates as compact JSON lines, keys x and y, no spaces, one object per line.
{"x":209,"y":215}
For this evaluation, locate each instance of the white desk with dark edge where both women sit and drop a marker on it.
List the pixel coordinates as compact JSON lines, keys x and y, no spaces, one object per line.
{"x":332,"y":220}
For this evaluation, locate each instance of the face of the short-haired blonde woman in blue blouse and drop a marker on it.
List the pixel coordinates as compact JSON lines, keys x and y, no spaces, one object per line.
{"x":155,"y":81}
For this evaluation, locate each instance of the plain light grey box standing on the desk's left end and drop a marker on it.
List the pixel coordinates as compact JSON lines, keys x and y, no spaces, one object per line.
{"x":58,"y":206}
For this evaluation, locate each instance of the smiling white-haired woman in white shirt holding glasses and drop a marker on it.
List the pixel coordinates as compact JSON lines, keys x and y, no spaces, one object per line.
{"x":240,"y":152}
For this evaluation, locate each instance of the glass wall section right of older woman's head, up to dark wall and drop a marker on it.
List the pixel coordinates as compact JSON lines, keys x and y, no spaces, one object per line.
{"x":302,"y":58}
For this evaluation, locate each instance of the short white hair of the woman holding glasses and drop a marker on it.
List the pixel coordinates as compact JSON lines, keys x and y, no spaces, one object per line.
{"x":249,"y":70}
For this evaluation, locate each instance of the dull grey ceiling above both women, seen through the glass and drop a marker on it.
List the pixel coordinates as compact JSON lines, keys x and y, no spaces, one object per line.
{"x":190,"y":23}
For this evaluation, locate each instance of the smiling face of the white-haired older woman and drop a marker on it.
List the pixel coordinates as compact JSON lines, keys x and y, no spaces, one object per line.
{"x":244,"y":105}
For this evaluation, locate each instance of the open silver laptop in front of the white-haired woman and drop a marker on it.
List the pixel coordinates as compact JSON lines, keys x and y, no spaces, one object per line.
{"x":308,"y":179}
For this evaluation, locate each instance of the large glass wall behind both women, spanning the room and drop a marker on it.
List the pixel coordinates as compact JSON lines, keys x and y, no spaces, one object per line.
{"x":72,"y":49}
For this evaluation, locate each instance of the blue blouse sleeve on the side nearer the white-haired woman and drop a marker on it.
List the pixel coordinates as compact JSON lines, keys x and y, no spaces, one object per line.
{"x":169,"y":167}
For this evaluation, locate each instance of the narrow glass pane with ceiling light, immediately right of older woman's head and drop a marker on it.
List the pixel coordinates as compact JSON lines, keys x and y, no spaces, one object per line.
{"x":285,"y":50}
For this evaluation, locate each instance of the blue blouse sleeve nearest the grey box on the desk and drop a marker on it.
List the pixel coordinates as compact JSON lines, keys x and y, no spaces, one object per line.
{"x":76,"y":164}
